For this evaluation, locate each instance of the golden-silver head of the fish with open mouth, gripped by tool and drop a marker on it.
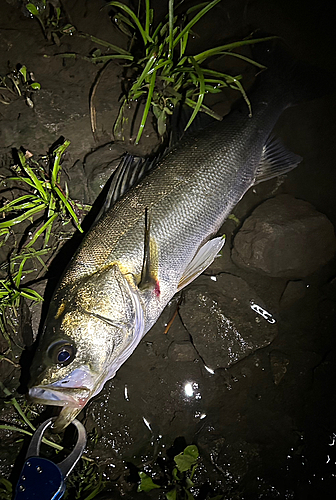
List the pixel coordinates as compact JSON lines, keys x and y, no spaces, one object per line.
{"x":90,"y":330}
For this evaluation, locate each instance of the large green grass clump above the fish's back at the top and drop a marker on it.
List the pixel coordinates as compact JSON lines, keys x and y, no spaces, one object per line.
{"x":164,"y":74}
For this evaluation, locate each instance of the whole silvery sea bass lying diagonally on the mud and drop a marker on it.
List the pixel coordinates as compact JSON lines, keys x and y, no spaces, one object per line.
{"x":156,"y":239}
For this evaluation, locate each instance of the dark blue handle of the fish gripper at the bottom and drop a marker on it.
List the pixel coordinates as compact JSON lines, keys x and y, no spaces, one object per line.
{"x":40,"y":479}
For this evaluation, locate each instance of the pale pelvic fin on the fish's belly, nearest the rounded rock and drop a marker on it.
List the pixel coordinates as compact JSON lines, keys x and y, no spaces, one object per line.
{"x":202,"y":259}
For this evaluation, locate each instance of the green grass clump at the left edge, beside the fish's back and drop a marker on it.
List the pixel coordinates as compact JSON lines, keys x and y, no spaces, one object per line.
{"x":41,"y":203}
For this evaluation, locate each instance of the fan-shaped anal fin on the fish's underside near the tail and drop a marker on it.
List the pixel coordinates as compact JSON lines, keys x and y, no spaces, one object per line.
{"x":275,"y":160}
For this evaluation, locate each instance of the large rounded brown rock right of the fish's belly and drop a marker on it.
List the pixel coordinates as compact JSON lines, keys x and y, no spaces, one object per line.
{"x":285,"y":237}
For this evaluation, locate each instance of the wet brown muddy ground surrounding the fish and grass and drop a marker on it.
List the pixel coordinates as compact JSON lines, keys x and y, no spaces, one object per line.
{"x":263,"y":416}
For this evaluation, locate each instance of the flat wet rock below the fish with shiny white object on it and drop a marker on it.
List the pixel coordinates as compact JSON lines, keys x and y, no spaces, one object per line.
{"x":223,"y":325}
